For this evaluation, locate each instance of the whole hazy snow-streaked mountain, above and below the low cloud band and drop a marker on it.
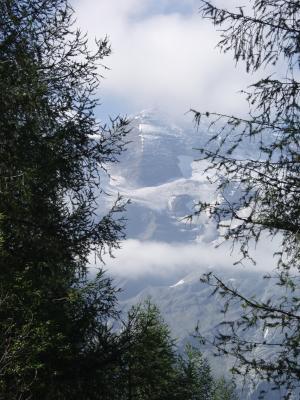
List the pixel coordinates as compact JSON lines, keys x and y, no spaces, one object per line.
{"x":160,"y":177}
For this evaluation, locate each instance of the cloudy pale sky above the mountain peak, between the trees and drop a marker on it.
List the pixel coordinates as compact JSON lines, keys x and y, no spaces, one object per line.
{"x":164,"y":56}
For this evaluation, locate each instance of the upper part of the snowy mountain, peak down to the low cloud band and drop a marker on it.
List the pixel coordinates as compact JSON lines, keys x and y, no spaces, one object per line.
{"x":159,"y":175}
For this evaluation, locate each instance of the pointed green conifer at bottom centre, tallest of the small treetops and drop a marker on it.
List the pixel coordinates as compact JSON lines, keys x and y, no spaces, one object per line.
{"x":148,"y":363}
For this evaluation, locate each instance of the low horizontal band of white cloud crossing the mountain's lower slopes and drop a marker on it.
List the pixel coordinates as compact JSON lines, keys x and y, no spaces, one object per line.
{"x":138,"y":259}
